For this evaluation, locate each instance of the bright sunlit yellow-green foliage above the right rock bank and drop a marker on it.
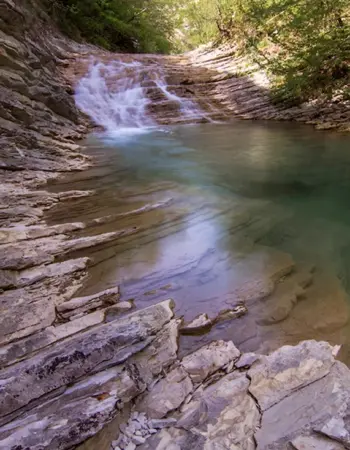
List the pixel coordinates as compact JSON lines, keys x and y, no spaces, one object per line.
{"x":304,"y":44}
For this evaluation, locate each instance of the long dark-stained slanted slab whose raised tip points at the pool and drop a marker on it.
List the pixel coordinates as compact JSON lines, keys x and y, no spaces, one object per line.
{"x":106,"y":345}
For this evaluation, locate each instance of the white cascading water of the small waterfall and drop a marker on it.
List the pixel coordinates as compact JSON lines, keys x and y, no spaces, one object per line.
{"x":114,"y":95}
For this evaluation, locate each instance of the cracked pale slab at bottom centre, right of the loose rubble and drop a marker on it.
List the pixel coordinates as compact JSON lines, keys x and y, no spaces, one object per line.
{"x":223,"y":416}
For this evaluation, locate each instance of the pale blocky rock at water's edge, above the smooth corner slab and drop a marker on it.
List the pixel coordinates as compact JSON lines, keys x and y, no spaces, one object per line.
{"x":288,"y":369}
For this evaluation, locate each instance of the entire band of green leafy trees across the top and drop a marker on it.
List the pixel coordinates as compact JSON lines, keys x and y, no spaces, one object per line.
{"x":303,"y":44}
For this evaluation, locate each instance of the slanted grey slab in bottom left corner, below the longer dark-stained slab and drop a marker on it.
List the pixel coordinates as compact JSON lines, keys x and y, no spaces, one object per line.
{"x":72,"y":416}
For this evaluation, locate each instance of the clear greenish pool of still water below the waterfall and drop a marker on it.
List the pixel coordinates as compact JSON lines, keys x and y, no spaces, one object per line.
{"x":240,"y":203}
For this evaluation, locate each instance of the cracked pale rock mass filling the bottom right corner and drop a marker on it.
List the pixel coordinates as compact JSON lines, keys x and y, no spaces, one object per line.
{"x":297,"y":397}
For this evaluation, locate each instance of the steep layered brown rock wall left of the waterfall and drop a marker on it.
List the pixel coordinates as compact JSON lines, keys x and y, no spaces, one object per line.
{"x":38,"y":119}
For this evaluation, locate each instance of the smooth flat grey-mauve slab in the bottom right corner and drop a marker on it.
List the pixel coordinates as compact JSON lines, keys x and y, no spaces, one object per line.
{"x":318,"y":409}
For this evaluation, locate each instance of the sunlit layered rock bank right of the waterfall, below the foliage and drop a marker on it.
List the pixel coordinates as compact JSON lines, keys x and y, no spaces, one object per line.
{"x":243,"y":91}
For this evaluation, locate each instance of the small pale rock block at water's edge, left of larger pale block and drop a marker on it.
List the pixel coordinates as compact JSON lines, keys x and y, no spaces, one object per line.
{"x":208,"y":359}
